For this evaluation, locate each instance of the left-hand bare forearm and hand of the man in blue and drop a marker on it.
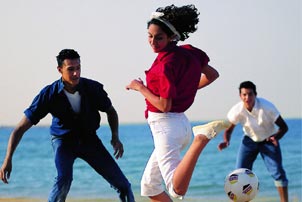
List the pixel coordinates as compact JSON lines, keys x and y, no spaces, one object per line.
{"x":13,"y":142}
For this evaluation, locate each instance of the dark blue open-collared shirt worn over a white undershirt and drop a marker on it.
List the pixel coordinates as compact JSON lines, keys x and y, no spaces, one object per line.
{"x":53,"y":100}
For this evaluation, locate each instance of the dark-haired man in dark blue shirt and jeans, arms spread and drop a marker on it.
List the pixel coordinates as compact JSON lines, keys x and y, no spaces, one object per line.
{"x":74,"y":103}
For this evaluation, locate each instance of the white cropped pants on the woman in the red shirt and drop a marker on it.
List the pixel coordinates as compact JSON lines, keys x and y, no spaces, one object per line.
{"x":171,"y":133}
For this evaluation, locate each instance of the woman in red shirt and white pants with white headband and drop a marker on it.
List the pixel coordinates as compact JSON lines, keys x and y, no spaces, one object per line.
{"x":172,"y":82}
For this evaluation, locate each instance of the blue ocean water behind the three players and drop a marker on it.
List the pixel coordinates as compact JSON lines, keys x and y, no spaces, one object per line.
{"x":33,"y":168}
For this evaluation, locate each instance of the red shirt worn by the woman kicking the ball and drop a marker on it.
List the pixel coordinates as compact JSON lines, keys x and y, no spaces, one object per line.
{"x":175,"y":74}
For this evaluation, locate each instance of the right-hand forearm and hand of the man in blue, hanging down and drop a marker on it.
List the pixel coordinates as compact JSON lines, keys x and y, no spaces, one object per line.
{"x":112,"y":118}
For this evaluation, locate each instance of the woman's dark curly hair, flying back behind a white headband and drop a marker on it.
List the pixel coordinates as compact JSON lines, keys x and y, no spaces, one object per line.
{"x":184,"y":19}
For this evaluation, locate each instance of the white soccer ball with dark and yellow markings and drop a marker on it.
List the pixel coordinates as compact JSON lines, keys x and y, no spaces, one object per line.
{"x":241,"y":185}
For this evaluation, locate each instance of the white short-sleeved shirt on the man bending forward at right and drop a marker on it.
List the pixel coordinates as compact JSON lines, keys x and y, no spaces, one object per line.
{"x":258,"y":124}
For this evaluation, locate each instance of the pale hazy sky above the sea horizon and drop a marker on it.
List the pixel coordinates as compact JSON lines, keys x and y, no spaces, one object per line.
{"x":256,"y":40}
